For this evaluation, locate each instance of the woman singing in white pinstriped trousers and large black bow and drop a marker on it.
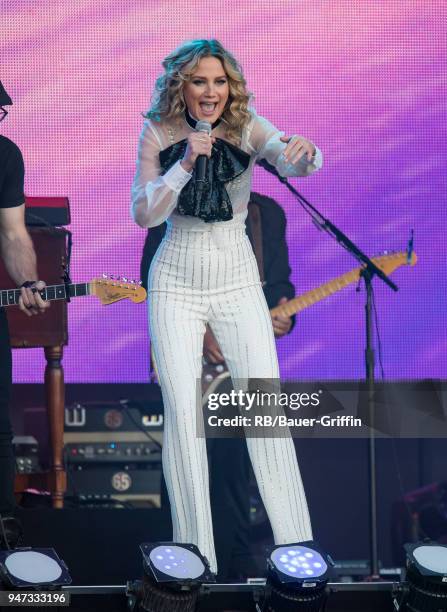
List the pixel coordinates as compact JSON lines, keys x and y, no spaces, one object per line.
{"x":205,"y":272}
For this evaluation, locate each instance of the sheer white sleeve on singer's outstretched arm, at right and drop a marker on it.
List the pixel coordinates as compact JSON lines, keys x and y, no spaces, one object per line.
{"x":264,"y":140}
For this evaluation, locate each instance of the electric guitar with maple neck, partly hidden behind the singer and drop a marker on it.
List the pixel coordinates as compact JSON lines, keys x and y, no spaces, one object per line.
{"x":213,"y":375}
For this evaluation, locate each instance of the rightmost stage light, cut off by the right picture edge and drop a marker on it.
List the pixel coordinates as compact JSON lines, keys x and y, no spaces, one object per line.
{"x":426,"y":578}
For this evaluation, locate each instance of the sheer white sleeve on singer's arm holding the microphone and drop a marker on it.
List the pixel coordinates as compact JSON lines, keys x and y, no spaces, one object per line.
{"x":154,"y":197}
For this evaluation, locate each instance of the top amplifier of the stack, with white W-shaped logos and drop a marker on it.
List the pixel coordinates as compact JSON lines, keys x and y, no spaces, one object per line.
{"x":122,"y":416}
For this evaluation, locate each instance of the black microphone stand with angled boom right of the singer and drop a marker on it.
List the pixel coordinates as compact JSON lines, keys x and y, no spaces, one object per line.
{"x":369,"y":271}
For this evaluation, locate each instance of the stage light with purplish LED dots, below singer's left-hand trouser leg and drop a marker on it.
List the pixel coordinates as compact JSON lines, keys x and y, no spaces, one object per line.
{"x":173,"y":576}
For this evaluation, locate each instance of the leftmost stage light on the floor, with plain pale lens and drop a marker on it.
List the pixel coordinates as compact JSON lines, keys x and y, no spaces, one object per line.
{"x":28,"y":568}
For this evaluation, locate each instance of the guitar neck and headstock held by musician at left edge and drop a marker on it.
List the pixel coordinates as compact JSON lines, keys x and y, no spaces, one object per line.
{"x":106,"y":289}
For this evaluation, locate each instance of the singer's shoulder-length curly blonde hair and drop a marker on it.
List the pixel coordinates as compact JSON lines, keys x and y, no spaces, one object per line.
{"x":167,"y":99}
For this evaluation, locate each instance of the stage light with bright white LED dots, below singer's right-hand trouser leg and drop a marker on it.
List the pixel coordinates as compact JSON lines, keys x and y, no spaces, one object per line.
{"x":297,"y":578}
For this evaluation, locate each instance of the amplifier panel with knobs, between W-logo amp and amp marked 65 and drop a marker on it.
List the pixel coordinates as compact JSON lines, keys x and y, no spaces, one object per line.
{"x":84,"y":453}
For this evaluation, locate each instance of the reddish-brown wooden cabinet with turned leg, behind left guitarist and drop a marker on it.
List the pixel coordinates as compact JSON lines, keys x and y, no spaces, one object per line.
{"x":50,"y":332}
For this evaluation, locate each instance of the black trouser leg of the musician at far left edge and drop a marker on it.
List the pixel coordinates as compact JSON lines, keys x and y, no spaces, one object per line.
{"x":7,"y":463}
